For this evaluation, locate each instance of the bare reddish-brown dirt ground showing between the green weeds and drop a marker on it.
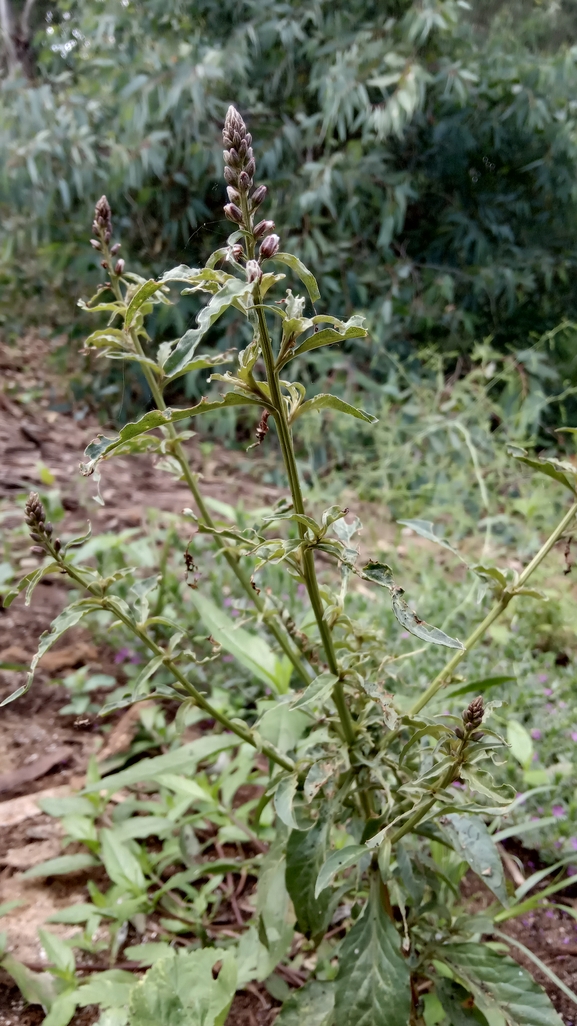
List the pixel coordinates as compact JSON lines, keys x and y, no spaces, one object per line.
{"x":36,"y":738}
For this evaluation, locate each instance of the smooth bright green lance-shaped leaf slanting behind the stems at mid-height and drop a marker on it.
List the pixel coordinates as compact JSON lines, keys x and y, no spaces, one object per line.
{"x":251,"y":650}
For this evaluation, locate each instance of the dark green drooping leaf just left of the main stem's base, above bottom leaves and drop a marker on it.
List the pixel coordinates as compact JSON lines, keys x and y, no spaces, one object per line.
{"x":305,"y":855}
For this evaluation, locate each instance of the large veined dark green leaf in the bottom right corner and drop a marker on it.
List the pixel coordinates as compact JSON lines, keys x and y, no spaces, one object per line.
{"x":501,"y":985}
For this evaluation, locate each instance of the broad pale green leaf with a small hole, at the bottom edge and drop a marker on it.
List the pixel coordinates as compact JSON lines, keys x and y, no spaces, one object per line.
{"x":181,"y":991}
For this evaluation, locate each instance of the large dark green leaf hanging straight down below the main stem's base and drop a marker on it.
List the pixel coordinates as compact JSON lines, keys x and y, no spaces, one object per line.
{"x":373,"y":985}
